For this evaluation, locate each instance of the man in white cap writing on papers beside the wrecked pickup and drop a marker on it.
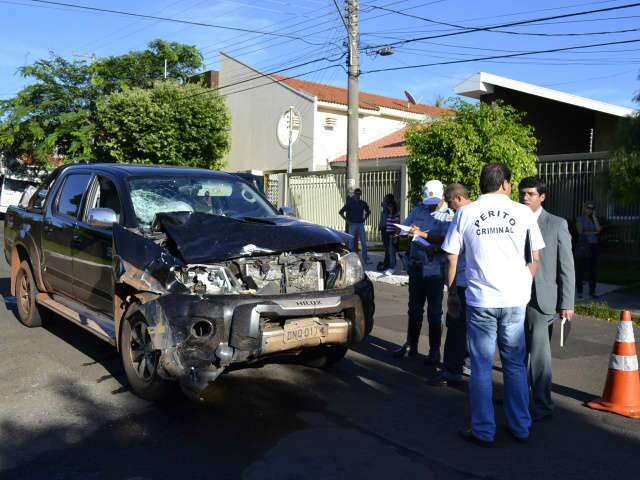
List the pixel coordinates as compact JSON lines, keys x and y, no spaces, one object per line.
{"x":431,"y":218}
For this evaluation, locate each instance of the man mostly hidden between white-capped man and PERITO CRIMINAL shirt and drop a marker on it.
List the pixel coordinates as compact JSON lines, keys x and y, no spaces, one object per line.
{"x":456,"y":354}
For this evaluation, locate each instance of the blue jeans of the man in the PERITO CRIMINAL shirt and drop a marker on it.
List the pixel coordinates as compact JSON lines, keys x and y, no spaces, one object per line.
{"x":484,"y":326}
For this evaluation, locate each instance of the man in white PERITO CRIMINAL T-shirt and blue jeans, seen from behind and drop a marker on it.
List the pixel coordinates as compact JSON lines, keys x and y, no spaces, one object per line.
{"x":500,"y":240}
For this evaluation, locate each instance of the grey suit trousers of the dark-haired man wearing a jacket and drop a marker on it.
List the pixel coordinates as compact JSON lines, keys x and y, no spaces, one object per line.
{"x":538,"y":329}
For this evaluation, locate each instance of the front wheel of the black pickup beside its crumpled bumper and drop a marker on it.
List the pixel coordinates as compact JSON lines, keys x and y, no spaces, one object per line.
{"x":141,"y":362}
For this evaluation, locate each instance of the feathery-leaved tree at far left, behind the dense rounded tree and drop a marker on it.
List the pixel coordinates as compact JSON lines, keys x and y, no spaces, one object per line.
{"x":56,"y":113}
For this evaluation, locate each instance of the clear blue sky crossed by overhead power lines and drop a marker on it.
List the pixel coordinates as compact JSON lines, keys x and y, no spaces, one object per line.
{"x":29,"y":31}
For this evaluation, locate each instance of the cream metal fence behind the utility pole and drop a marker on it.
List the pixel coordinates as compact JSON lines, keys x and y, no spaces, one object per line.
{"x":317,"y":197}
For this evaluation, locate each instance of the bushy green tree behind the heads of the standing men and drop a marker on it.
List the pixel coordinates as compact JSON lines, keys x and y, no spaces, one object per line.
{"x":455,"y":147}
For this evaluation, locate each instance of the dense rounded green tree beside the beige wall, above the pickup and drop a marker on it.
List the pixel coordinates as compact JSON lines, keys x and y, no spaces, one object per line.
{"x":168,"y":124}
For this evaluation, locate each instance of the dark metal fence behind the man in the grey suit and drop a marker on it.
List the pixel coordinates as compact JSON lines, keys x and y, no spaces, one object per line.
{"x":575,"y":179}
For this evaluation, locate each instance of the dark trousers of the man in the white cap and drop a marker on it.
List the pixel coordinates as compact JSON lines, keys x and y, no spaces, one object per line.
{"x":430,"y":289}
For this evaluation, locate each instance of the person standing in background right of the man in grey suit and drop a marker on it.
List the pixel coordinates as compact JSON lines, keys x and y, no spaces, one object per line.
{"x":587,"y":248}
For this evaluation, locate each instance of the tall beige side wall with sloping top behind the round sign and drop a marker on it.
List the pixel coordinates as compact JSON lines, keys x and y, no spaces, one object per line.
{"x":254,"y":117}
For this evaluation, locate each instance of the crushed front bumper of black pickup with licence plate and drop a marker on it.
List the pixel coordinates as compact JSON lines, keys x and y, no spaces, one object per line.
{"x":199,"y":336}
